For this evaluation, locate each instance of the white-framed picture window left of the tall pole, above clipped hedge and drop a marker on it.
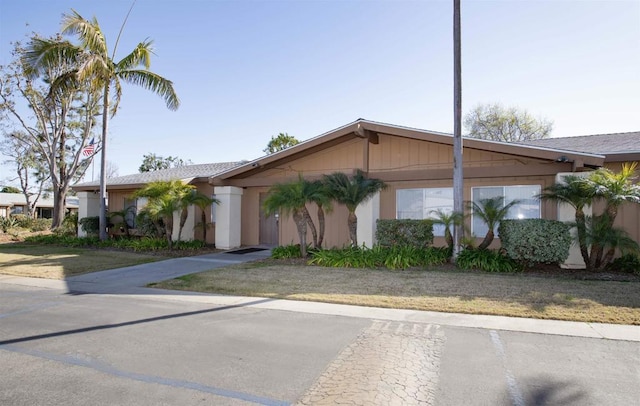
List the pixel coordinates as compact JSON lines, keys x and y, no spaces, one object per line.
{"x":421,"y":203}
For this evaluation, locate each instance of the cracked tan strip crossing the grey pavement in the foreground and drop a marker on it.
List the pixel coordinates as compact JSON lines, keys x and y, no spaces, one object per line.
{"x":390,"y":363}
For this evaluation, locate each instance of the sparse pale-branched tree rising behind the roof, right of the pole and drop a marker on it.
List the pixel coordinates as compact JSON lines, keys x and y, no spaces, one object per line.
{"x":497,"y":123}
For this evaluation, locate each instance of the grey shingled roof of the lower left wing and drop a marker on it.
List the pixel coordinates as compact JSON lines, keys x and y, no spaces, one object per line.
{"x":187,"y":174}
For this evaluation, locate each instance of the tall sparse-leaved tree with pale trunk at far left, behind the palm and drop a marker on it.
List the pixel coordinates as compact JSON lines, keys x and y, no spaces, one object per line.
{"x":47,"y":131}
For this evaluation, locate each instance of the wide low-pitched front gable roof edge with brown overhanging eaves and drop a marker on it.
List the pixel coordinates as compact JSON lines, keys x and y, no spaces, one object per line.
{"x":362,"y":128}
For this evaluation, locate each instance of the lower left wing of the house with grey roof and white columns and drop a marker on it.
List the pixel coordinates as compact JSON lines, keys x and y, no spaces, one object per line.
{"x":121,"y":188}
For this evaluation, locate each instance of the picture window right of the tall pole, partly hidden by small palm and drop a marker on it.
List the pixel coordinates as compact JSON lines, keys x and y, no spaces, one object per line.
{"x":528,"y":206}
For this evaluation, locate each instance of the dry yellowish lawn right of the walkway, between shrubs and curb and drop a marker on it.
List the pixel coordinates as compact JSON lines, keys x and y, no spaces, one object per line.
{"x":446,"y":291}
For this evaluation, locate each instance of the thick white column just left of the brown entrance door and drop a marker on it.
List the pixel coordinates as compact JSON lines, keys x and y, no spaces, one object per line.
{"x":228,"y":216}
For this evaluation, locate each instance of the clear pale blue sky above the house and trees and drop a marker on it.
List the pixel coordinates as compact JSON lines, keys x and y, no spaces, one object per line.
{"x":247,"y":70}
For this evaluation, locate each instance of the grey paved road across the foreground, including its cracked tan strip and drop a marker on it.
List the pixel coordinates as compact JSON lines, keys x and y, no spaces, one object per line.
{"x":79,"y":349}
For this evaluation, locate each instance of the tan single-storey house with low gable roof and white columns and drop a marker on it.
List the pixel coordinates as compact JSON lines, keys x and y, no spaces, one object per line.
{"x":417,"y":166}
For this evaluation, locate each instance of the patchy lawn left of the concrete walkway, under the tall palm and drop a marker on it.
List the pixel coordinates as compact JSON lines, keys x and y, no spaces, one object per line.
{"x":53,"y":262}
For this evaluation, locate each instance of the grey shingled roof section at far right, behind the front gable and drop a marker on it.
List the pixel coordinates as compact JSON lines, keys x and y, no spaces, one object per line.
{"x":611,"y":145}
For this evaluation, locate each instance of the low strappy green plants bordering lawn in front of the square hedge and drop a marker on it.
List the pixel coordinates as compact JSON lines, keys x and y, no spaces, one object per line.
{"x":397,"y":257}
